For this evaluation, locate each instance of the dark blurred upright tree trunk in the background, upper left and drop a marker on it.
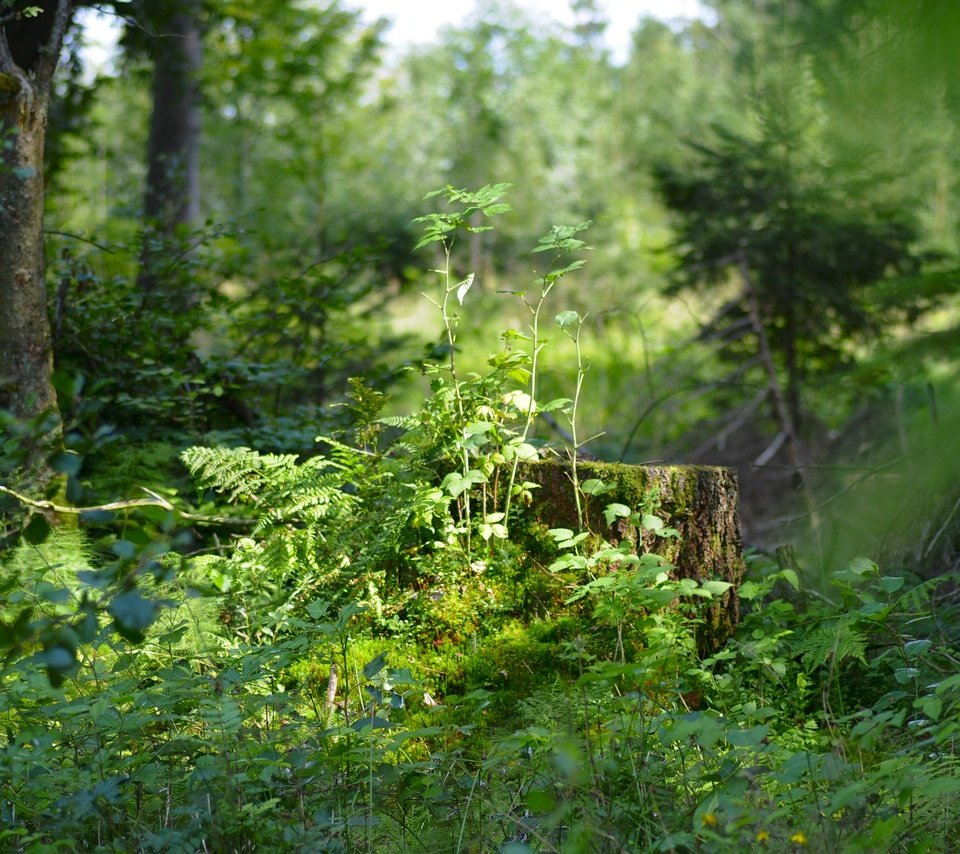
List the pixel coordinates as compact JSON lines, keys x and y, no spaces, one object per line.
{"x":172,"y":193}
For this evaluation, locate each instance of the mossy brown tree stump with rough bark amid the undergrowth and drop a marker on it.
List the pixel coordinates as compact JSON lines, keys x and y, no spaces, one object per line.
{"x":699,"y":501}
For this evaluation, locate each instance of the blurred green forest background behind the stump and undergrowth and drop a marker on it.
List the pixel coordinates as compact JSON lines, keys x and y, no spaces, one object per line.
{"x":771,"y":284}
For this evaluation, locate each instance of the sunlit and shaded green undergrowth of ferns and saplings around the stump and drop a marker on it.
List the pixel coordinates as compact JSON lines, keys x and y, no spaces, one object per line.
{"x":391,"y":656}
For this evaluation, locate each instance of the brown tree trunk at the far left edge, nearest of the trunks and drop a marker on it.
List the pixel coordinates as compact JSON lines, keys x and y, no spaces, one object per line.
{"x":26,"y":360}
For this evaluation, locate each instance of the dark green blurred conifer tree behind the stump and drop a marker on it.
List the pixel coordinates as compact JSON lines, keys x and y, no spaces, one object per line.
{"x":762,"y":212}
